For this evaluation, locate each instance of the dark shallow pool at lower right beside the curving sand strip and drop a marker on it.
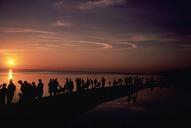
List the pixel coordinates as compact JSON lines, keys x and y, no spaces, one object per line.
{"x":170,"y":108}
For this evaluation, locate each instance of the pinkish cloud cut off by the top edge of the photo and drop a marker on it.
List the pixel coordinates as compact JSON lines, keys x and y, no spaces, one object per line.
{"x":100,"y":4}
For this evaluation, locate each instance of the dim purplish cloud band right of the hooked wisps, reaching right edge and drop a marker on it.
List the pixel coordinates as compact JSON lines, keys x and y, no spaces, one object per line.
{"x":169,"y":40}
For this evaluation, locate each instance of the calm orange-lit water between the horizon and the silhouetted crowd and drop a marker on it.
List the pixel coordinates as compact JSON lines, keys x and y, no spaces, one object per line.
{"x":61,"y":76}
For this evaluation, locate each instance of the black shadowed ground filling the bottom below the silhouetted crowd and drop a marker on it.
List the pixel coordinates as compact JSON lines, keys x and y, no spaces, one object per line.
{"x":171,"y":110}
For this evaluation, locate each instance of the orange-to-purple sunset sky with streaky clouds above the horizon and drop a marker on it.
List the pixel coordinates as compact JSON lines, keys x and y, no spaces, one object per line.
{"x":96,"y":35}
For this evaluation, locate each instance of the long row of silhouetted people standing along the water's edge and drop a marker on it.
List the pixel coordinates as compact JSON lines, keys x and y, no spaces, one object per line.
{"x":30,"y":91}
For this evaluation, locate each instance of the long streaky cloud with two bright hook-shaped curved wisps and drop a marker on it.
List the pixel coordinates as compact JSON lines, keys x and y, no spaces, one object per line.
{"x":60,"y":42}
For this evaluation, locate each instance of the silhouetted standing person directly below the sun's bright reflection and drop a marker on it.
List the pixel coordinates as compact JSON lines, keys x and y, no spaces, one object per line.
{"x":10,"y":91}
